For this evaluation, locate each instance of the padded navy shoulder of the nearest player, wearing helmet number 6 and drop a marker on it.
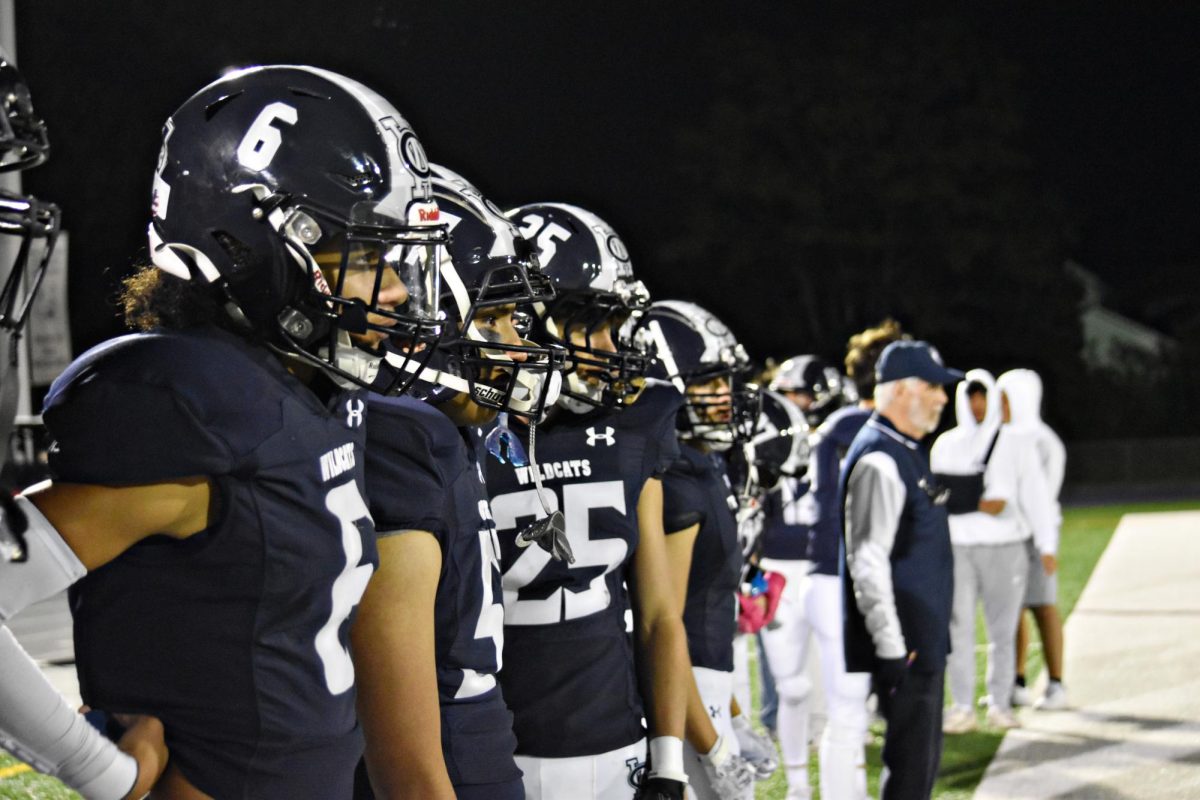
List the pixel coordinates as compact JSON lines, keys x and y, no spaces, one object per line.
{"x":153,"y":407}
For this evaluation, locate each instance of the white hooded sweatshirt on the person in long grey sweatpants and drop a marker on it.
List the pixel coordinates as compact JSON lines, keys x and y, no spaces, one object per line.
{"x":1013,"y":474}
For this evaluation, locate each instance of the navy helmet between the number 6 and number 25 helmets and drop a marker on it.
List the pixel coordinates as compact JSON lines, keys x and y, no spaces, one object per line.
{"x":487,"y":266}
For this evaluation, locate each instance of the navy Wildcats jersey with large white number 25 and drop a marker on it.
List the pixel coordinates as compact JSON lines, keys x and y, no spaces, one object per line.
{"x":568,"y":663}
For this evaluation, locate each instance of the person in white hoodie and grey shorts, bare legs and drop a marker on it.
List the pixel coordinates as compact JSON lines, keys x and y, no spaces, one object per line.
{"x":1023,"y":392}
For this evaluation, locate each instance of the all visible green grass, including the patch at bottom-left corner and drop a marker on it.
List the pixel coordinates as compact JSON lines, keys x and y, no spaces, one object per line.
{"x":1085,"y":534}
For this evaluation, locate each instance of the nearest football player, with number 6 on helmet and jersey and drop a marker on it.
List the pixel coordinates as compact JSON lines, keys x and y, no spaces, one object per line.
{"x":208,"y":465}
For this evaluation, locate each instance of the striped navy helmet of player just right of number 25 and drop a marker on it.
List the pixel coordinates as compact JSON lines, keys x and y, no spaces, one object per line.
{"x":701,"y":358}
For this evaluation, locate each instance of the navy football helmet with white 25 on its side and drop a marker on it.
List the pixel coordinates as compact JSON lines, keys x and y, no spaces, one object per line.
{"x":597,"y":293}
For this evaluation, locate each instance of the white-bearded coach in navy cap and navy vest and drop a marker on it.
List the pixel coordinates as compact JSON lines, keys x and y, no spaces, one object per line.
{"x":897,"y":564}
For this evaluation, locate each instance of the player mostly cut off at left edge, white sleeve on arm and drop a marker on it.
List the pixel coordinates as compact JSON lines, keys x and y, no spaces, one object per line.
{"x":35,"y":721}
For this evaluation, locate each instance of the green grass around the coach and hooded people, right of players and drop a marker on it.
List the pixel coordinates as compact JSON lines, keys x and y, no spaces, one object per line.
{"x":1085,"y":534}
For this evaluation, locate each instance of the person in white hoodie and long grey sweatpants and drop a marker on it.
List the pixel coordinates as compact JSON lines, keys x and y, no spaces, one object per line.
{"x":991,"y":551}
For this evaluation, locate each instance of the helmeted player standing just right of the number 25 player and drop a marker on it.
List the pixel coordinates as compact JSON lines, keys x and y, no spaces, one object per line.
{"x":699,"y":356}
